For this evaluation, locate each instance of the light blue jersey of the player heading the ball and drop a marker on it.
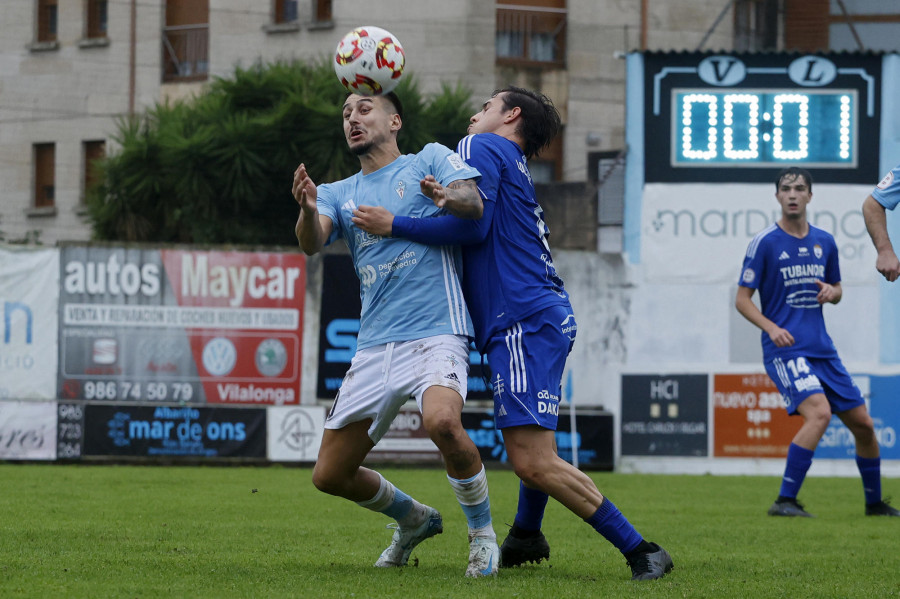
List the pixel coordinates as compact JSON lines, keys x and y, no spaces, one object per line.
{"x":408,"y":290}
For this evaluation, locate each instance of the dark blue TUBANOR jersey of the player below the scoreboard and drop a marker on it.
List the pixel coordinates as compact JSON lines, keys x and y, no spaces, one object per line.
{"x":785,"y":269}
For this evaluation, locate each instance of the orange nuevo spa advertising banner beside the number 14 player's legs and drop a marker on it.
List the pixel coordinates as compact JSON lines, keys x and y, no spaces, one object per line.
{"x":749,"y":418}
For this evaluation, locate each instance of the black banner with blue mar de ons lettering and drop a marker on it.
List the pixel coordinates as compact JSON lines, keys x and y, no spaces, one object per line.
{"x":186,"y":432}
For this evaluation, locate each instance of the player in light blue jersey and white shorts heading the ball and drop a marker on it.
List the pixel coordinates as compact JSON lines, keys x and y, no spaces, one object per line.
{"x":414,"y":328}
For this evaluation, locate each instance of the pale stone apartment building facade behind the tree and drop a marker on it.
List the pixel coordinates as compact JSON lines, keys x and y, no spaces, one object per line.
{"x":71,"y":69}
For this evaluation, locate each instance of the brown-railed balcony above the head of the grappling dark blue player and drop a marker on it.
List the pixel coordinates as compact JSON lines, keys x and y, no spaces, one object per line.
{"x":535,"y":36}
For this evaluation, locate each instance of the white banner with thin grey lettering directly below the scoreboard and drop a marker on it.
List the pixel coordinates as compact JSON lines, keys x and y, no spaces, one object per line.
{"x":710,"y":236}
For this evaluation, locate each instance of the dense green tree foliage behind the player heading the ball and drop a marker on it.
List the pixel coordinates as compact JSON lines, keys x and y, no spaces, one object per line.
{"x":218,"y":168}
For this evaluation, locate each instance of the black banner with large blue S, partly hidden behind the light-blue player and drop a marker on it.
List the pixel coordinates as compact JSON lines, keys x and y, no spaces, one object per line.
{"x":339,"y":327}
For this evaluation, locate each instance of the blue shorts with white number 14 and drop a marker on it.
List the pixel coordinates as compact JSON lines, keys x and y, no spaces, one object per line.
{"x":797,"y":378}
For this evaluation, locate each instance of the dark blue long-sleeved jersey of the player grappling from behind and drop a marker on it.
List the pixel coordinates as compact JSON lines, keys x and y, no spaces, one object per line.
{"x":508,"y":271}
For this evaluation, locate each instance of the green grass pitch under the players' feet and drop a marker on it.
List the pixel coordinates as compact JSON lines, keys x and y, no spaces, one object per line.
{"x":142,"y":531}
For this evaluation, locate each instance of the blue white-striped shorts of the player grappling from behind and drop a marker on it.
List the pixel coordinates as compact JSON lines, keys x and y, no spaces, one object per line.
{"x":527,"y":362}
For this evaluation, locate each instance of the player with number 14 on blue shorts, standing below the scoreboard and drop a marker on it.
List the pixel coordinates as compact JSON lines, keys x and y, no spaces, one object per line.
{"x":795,"y":267}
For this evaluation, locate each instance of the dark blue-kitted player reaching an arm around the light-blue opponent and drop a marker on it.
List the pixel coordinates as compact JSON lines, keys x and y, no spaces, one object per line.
{"x":523,"y":322}
